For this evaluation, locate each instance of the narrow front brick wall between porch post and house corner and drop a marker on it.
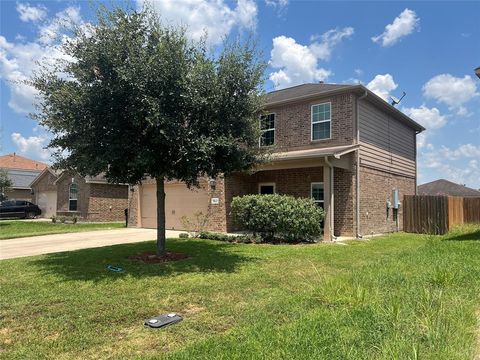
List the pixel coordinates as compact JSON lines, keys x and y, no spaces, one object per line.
{"x":344,"y":202}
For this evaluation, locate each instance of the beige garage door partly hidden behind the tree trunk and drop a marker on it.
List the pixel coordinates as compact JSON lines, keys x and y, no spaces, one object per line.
{"x":179,"y":201}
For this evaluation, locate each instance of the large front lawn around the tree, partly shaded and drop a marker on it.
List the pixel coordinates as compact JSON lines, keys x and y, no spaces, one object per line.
{"x":396,"y":297}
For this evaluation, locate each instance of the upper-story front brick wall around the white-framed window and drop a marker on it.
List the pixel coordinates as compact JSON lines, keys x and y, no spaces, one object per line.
{"x":293,"y":123}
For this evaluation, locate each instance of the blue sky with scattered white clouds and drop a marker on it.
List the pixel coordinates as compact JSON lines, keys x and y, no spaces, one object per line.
{"x":428,"y":50}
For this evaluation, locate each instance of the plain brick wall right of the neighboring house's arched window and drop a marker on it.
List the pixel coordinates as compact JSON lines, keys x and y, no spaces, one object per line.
{"x":107,"y":202}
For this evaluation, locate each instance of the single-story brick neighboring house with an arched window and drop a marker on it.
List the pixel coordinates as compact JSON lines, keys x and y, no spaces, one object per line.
{"x":89,"y":198}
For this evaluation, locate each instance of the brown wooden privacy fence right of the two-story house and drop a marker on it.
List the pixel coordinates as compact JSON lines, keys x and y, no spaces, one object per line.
{"x":428,"y":214}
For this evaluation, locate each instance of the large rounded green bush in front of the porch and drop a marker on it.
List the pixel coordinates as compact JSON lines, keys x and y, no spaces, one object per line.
{"x":278,"y":217}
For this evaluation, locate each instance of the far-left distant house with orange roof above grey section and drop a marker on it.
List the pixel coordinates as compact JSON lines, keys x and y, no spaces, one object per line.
{"x":22,"y":171}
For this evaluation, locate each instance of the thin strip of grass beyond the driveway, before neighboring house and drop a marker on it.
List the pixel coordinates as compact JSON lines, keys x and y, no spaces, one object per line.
{"x":10,"y":229}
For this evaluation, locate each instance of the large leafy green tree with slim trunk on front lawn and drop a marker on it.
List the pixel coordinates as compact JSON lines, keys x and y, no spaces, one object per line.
{"x":137,"y":99}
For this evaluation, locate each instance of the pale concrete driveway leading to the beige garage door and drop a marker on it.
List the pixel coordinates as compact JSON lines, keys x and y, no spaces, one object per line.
{"x":45,"y":244}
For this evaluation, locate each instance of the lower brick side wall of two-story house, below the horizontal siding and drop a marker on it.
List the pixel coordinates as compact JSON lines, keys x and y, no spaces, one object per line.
{"x":375,"y":189}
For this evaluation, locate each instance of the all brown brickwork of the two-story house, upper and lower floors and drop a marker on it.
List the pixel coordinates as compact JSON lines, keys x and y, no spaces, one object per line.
{"x":293,"y":132}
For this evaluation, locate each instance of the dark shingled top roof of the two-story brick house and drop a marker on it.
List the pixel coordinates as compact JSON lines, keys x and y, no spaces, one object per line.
{"x":311,"y":91}
